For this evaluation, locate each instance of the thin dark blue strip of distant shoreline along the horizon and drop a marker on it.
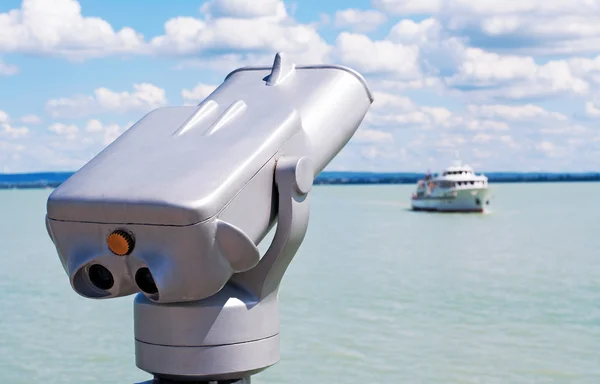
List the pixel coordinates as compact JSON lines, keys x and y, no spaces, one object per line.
{"x":54,"y":179}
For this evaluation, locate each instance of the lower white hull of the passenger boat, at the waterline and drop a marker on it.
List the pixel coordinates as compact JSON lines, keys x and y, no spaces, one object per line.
{"x":467,"y":200}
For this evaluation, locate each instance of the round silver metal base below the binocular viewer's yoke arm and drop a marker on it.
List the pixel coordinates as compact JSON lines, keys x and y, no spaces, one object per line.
{"x":226,"y":336}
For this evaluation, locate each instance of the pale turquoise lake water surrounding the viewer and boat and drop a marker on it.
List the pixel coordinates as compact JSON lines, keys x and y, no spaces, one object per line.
{"x":377,"y":293}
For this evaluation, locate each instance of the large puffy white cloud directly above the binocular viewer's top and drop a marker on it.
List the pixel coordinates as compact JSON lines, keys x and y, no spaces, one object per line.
{"x":240,"y":32}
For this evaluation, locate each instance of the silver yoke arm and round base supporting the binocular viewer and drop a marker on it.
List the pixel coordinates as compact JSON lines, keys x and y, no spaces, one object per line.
{"x":234,"y":333}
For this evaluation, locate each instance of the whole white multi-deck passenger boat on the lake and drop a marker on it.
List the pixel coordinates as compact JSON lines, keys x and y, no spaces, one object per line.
{"x":456,"y":189}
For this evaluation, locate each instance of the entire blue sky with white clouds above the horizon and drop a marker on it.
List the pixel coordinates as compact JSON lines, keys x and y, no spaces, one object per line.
{"x":513,"y":85}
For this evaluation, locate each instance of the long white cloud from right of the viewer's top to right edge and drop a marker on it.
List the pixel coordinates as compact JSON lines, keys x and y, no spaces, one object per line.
{"x":488,"y":75}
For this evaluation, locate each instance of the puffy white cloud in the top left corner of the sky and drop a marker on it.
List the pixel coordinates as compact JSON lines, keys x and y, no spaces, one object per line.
{"x":58,"y":27}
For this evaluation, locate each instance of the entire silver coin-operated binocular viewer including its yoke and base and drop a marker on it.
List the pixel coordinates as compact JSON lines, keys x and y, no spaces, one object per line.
{"x":175,"y":207}
